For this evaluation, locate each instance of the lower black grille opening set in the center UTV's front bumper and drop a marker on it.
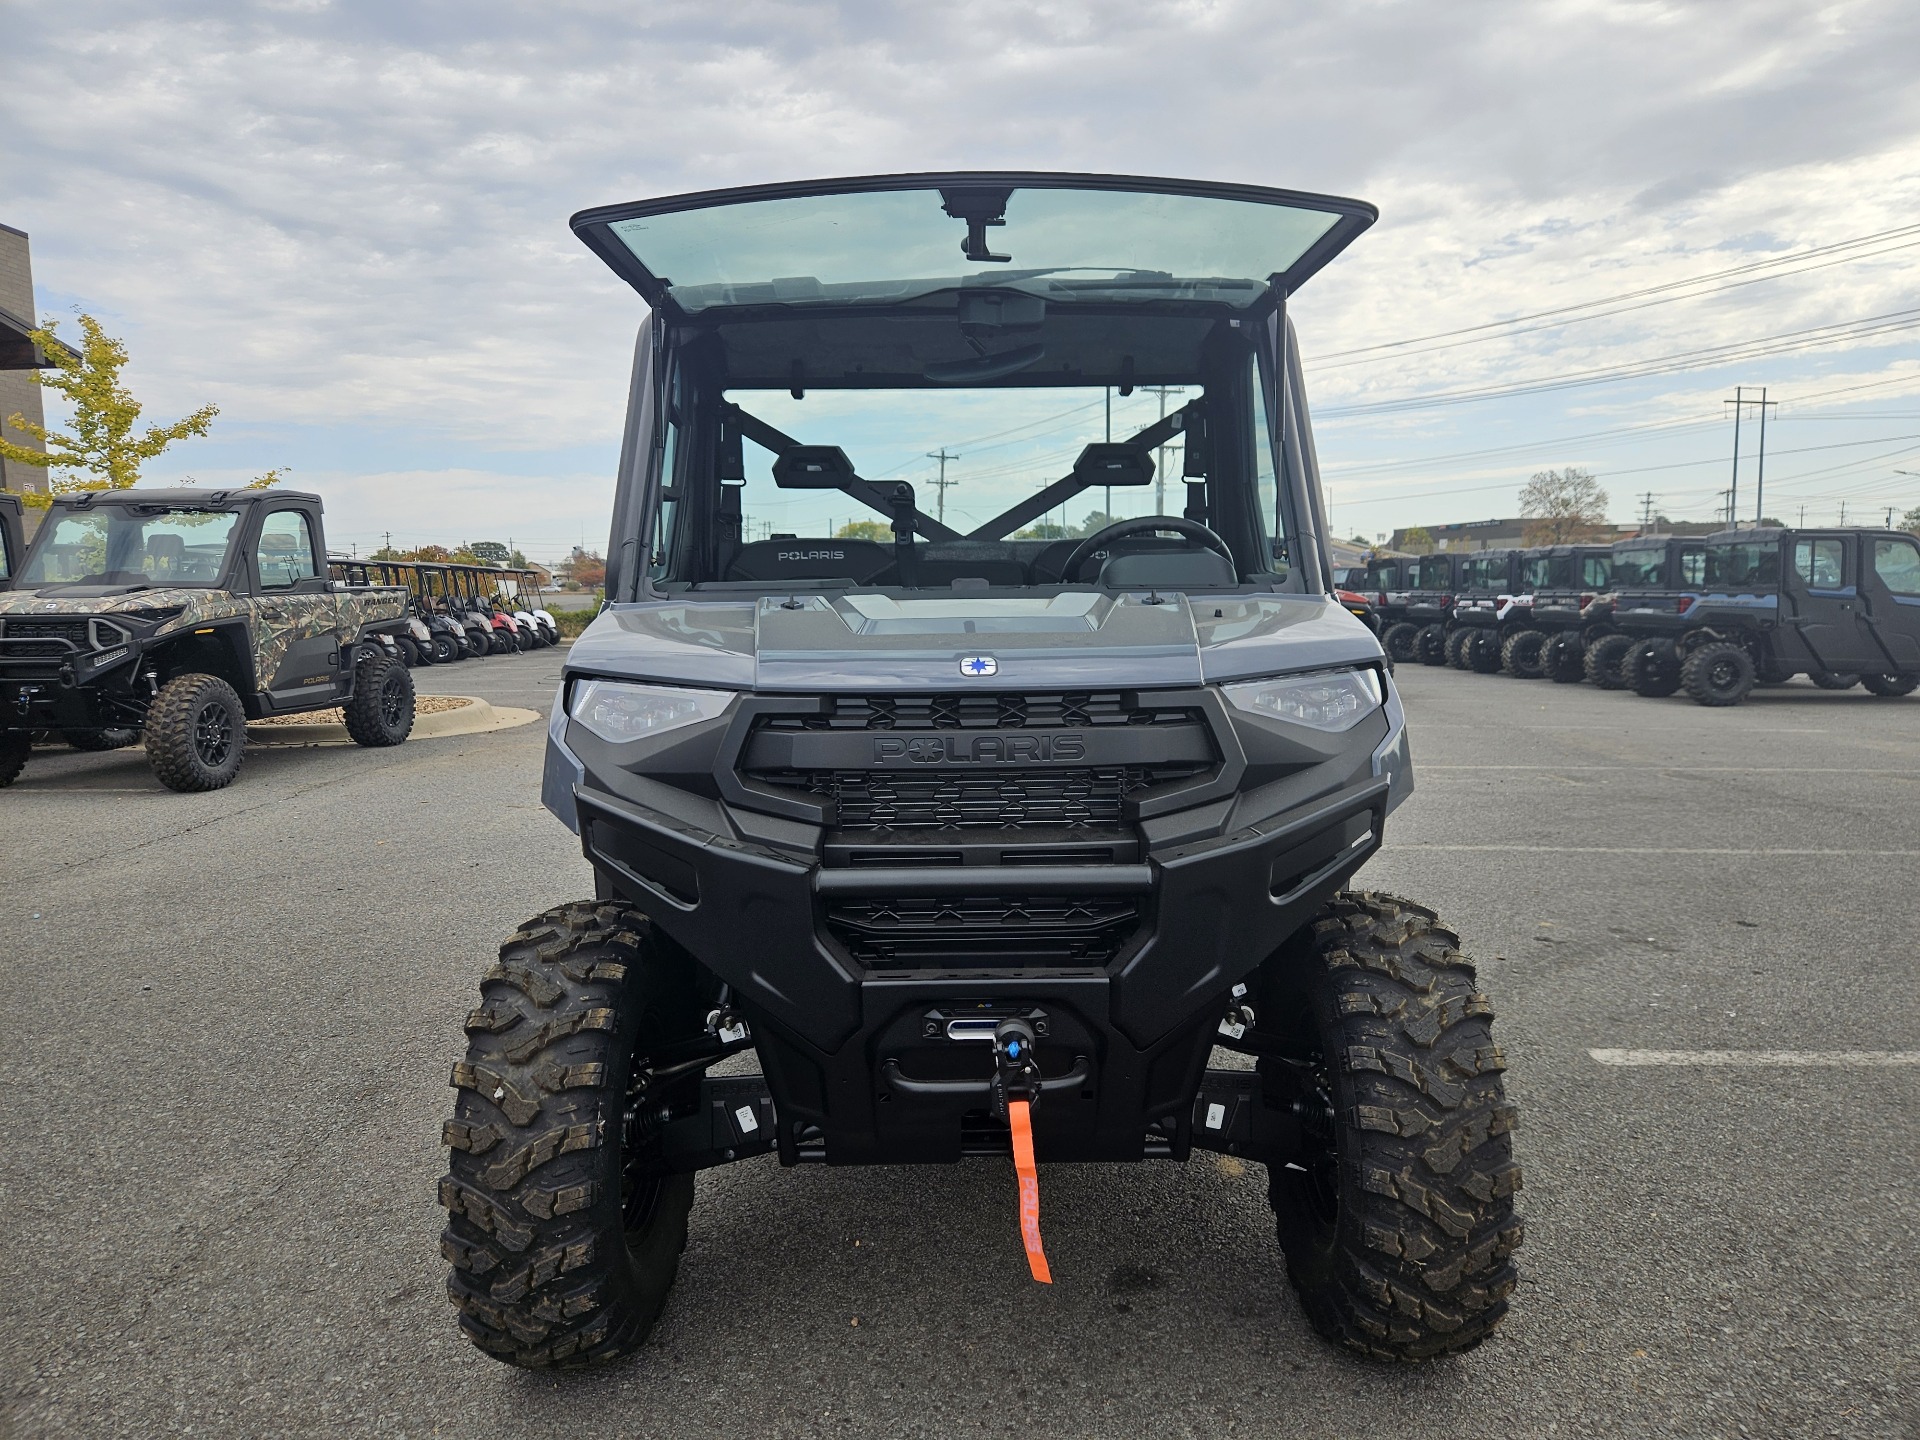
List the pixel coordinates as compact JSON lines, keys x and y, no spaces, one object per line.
{"x":984,"y":930}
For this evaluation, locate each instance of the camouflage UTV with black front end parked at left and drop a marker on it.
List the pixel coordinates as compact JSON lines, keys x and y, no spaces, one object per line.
{"x":183,"y":615}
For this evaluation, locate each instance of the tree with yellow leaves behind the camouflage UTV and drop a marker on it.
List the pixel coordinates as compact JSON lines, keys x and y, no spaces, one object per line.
{"x":105,"y":452}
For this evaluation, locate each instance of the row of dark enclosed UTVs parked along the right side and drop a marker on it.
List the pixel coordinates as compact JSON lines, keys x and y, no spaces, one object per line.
{"x":1712,"y":615}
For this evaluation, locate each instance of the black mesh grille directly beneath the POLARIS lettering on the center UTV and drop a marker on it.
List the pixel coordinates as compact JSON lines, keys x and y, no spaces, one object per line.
{"x":971,"y":800}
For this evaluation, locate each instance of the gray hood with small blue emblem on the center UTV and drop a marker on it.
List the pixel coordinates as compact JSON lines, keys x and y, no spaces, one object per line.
{"x":1030,"y":644}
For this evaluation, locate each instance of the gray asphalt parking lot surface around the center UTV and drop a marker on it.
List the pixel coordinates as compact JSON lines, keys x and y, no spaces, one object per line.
{"x":231,"y":1022}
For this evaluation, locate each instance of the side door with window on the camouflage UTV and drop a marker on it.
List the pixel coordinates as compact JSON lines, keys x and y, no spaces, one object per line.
{"x":297,"y":652}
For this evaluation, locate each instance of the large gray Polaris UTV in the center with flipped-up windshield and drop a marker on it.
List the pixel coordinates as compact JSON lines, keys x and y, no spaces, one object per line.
{"x":978,"y":817}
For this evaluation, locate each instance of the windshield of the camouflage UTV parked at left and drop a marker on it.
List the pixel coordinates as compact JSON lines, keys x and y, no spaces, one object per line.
{"x":130,"y":546}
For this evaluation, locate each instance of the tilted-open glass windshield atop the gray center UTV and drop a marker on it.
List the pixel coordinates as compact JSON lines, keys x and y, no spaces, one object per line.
{"x":1068,"y":245}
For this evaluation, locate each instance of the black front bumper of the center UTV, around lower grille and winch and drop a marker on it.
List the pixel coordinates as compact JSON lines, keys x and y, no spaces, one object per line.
{"x":861,"y":1061}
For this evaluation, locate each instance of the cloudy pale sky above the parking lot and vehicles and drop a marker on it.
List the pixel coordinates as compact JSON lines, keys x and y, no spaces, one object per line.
{"x":347,"y":224}
